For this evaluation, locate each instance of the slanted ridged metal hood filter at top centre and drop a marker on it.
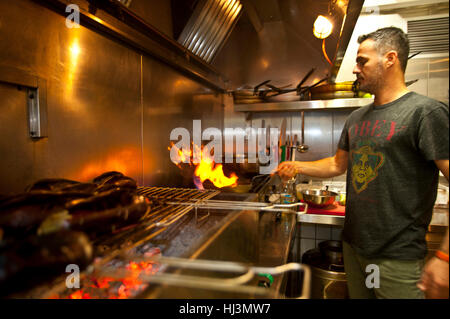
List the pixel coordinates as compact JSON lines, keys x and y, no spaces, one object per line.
{"x":209,"y":26}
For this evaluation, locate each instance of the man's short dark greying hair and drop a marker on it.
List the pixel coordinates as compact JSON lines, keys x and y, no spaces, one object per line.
{"x":390,"y":38}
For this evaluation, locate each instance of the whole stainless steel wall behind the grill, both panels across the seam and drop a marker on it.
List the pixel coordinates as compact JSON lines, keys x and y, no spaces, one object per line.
{"x":109,"y":108}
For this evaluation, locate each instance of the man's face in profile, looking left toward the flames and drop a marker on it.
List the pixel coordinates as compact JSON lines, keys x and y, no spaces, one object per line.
{"x":368,"y":68}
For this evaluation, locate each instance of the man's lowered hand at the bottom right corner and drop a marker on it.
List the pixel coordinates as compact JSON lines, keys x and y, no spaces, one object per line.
{"x":434,"y":281}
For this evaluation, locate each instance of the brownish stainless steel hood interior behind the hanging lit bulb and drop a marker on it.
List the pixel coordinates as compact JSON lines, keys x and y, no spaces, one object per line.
{"x":273,"y":40}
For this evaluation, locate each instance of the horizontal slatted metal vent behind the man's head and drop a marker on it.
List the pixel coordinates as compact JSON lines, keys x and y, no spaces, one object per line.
{"x":428,"y":35}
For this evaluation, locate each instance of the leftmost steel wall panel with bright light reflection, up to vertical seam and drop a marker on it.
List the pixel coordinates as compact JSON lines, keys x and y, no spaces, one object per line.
{"x":92,"y":97}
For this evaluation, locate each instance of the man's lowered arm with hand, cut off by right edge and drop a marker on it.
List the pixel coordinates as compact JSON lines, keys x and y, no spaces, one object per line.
{"x":435,"y":281}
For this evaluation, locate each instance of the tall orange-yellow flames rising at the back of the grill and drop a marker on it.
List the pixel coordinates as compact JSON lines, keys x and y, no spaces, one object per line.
{"x":207,"y":169}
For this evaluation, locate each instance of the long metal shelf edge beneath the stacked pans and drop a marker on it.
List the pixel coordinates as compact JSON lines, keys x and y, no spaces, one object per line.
{"x":303,"y":105}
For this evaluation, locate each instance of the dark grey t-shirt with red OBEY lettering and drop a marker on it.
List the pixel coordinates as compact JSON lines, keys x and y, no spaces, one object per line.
{"x":391,"y":176}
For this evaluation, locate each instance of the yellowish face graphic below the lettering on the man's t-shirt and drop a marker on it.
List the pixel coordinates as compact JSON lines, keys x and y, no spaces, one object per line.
{"x":365,"y":165}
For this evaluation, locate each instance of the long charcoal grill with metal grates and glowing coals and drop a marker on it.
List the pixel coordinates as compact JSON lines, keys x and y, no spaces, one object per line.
{"x":187,"y":243}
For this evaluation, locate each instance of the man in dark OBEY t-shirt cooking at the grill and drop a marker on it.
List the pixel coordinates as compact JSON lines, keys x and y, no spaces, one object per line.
{"x":392,"y":150}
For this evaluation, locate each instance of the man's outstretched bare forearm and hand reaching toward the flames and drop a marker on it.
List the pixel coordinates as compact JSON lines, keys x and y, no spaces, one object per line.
{"x":326,"y":167}
